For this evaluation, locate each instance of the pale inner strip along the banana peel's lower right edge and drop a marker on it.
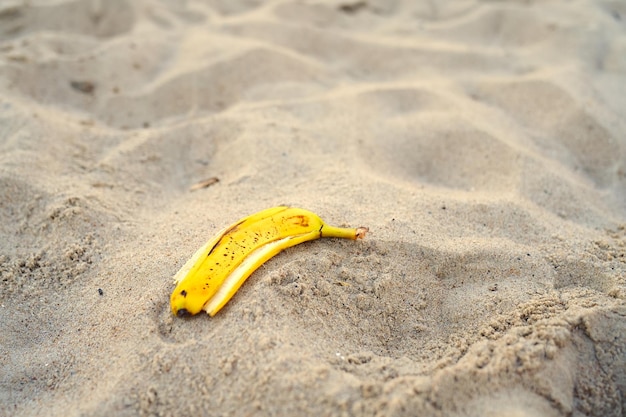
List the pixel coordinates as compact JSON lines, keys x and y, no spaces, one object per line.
{"x":239,"y":274}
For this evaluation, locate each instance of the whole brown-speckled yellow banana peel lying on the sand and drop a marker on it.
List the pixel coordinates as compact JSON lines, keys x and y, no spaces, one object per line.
{"x":215,"y":272}
